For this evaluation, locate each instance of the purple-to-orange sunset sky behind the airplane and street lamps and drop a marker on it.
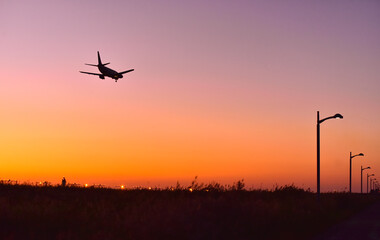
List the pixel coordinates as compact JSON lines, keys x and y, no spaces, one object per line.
{"x":222,"y":90}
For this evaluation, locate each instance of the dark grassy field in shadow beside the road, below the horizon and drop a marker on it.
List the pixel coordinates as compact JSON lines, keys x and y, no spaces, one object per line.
{"x":213,"y":212}
